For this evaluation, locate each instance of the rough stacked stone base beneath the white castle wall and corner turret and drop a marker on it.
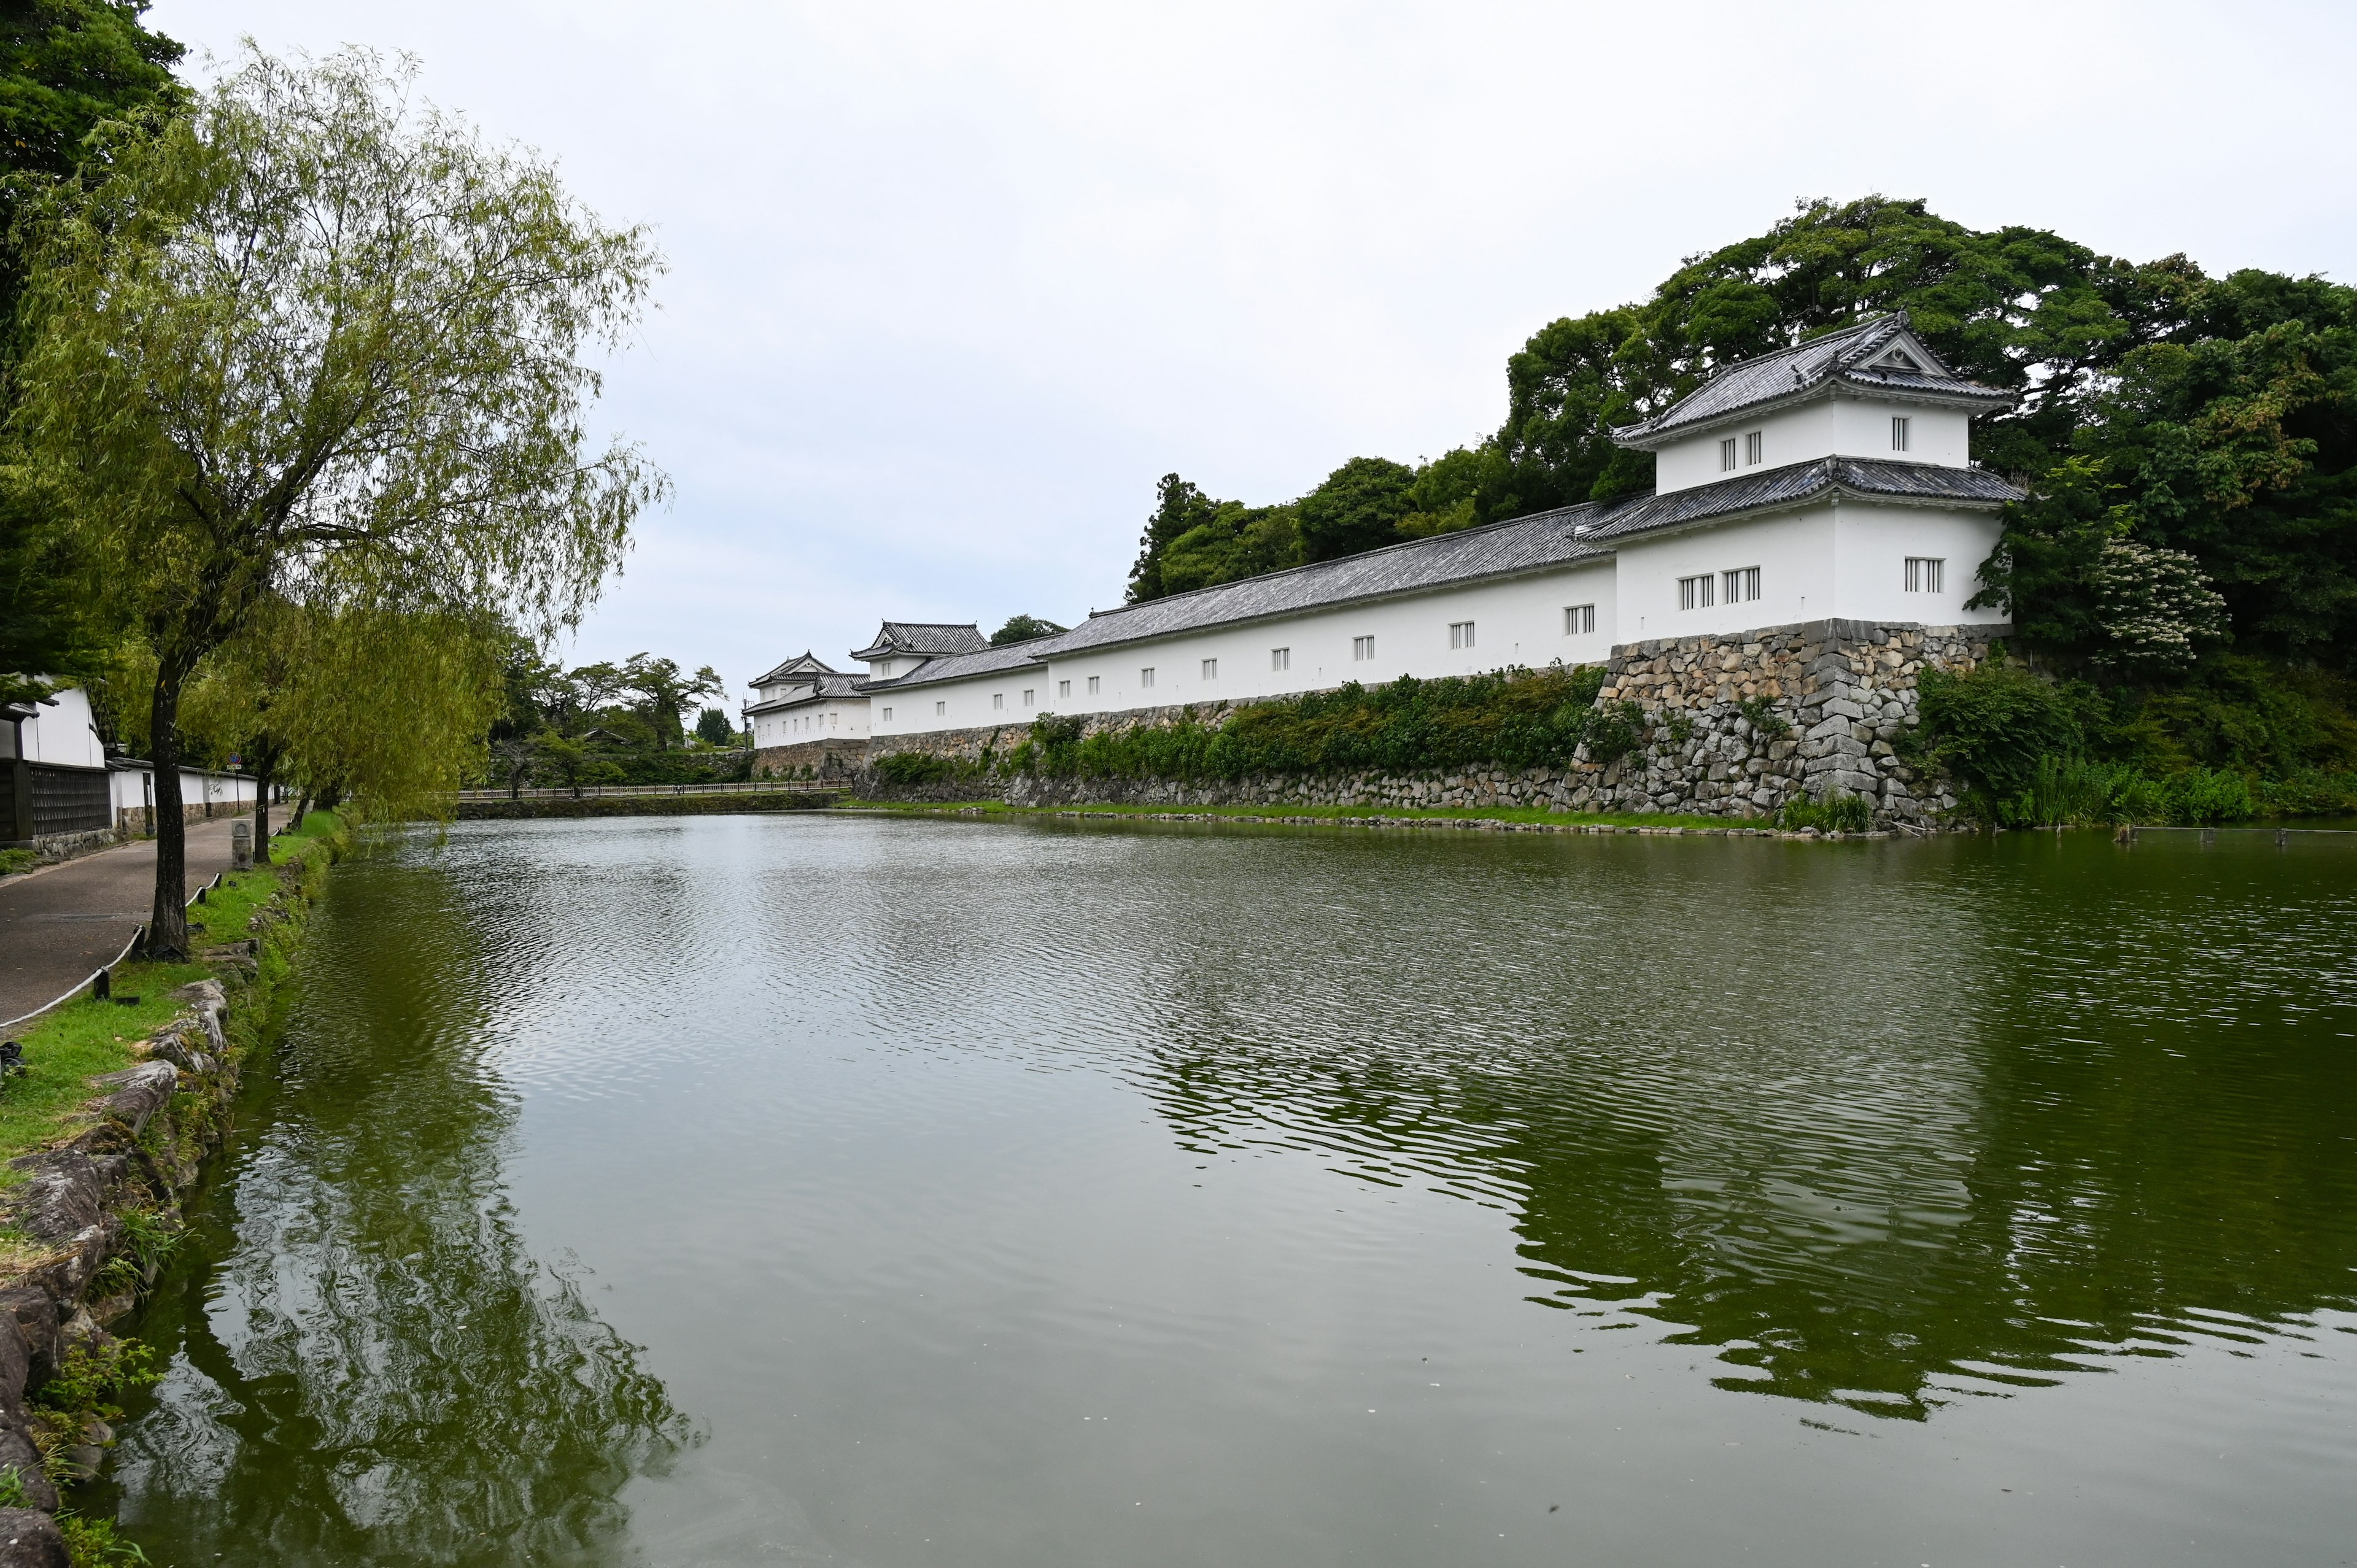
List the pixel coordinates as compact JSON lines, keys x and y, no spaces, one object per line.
{"x":1830,"y":699}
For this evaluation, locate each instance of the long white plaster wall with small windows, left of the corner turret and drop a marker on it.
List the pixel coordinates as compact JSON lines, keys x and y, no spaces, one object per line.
{"x":1517,"y":621}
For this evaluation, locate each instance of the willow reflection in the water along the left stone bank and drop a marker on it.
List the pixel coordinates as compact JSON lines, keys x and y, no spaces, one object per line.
{"x":378,"y":1369}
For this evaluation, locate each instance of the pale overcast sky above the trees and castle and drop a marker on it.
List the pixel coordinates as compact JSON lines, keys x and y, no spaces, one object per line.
{"x":951,"y":286}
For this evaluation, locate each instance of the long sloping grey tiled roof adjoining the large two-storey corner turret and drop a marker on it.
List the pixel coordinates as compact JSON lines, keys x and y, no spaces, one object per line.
{"x":1524,"y":543}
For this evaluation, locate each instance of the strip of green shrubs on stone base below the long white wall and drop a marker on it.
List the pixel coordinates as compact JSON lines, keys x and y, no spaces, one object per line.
{"x":1510,"y":718}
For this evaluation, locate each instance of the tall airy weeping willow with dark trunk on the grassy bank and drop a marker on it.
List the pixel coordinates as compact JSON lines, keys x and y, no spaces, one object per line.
{"x":322,"y":345}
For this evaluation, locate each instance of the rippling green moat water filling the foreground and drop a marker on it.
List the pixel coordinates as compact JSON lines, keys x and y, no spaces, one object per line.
{"x":821,"y":1190}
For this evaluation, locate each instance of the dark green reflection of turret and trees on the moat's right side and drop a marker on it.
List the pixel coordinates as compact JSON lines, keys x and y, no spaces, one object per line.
{"x":1960,"y":1140}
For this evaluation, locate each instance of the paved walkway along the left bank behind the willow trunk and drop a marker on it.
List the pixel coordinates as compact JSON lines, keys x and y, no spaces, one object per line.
{"x":65,"y":921}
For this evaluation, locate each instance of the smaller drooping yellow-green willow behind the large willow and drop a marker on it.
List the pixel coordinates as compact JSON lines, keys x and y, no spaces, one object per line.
{"x":385,"y":709}
